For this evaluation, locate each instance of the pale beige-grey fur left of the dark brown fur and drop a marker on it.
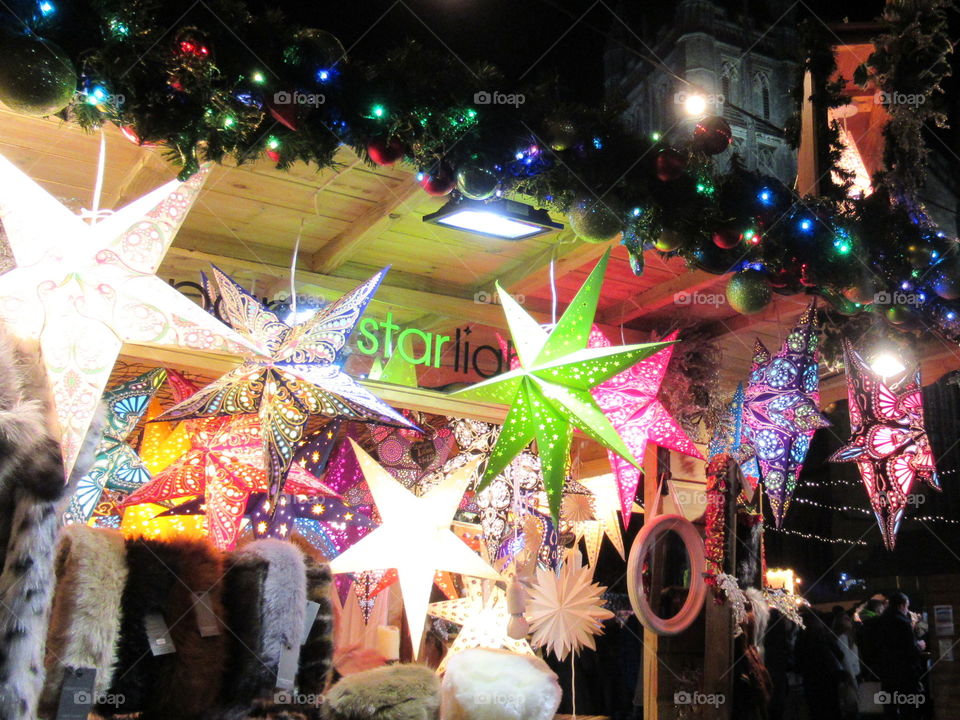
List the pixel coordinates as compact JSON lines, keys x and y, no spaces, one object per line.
{"x":91,"y":570}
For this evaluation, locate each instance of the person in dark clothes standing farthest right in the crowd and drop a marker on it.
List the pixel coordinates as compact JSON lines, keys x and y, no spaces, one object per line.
{"x":899,"y":662}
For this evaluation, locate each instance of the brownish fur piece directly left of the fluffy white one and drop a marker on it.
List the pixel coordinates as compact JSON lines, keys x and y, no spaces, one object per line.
{"x":394,"y":692}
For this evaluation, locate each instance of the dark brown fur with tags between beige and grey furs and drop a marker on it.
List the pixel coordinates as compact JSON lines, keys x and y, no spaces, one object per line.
{"x":162,"y":578}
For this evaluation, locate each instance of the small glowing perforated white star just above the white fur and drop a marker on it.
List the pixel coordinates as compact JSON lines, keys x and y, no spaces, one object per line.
{"x":483,"y":617}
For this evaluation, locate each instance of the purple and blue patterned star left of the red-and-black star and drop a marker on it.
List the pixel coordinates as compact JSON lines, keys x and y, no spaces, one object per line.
{"x":781,"y":410}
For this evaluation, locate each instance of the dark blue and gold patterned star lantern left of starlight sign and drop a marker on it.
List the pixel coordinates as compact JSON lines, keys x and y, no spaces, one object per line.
{"x":299,"y":375}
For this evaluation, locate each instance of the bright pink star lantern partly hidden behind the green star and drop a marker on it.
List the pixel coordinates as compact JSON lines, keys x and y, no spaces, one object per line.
{"x":630,"y":401}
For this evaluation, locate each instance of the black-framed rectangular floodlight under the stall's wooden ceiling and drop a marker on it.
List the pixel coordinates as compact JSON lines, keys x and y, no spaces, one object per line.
{"x":504,"y":219}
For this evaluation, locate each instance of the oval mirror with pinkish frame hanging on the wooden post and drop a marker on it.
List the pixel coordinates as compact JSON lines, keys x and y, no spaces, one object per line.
{"x":665,"y":574}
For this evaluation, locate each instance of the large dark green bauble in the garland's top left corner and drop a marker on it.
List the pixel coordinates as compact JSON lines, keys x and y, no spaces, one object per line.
{"x":36,"y":77}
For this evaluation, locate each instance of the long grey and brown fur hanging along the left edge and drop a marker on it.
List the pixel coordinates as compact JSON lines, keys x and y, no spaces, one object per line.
{"x":31,"y":496}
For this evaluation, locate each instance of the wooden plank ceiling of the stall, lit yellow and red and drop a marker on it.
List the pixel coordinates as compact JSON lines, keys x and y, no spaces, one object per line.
{"x":353,"y":220}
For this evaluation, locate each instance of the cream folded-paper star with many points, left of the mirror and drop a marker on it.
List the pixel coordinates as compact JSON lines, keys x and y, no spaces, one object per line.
{"x":566,"y":609}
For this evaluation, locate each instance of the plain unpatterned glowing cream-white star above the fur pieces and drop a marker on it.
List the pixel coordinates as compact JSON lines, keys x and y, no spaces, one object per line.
{"x":415,"y":538}
